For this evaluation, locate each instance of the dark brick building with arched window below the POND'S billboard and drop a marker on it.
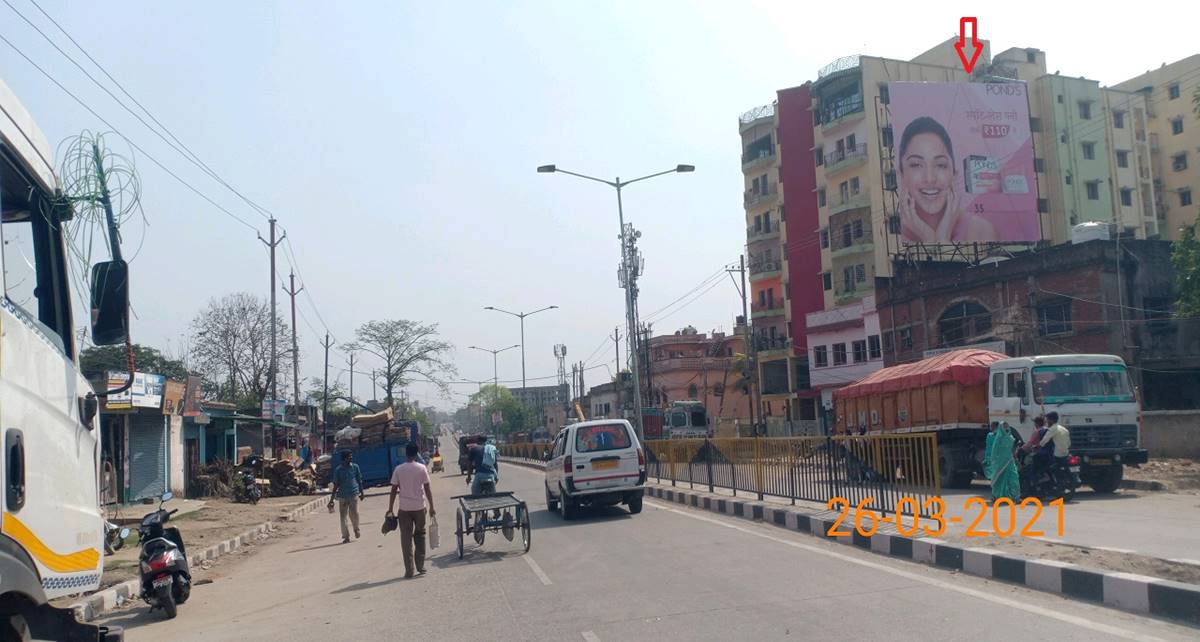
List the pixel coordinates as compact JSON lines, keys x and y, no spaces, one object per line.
{"x":1066,"y":299}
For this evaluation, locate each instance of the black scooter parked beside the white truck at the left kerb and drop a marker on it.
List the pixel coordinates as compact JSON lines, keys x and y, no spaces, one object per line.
{"x":166,"y":579}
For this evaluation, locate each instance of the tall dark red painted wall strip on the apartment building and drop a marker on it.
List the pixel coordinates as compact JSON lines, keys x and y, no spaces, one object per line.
{"x":797,"y":176}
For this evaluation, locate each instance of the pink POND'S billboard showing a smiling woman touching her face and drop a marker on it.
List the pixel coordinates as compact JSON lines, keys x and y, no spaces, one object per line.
{"x":964,"y":161}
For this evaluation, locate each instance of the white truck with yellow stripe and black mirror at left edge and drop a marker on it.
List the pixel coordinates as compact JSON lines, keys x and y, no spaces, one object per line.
{"x":52,"y":530}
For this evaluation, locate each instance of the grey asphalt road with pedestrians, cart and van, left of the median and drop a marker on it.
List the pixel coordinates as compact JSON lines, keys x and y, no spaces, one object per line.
{"x":669,"y":573}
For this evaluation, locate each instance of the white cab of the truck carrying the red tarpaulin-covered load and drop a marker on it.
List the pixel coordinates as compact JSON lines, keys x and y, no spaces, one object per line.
{"x":1094,"y":398}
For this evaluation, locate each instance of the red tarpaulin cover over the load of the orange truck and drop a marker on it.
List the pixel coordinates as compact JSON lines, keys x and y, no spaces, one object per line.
{"x":968,"y":367}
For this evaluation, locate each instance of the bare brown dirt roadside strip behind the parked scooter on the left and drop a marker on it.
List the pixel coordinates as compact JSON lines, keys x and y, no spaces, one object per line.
{"x":218,"y":521}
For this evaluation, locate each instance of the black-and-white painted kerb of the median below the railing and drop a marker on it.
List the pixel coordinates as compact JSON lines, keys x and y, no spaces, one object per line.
{"x":1129,"y":592}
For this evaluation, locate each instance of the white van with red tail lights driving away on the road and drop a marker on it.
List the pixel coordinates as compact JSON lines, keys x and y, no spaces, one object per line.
{"x":598,"y":464}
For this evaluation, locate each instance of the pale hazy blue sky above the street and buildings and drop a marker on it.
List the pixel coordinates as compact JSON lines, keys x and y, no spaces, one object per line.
{"x":398,"y":145}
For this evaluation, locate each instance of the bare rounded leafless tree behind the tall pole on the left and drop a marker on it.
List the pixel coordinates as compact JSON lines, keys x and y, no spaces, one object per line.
{"x":232,"y":344}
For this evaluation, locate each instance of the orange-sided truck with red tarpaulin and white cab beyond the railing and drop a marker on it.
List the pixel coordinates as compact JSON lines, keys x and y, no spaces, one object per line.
{"x":958,"y":395}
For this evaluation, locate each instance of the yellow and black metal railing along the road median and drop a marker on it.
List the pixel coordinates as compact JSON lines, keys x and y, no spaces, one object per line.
{"x":877,"y":471}
